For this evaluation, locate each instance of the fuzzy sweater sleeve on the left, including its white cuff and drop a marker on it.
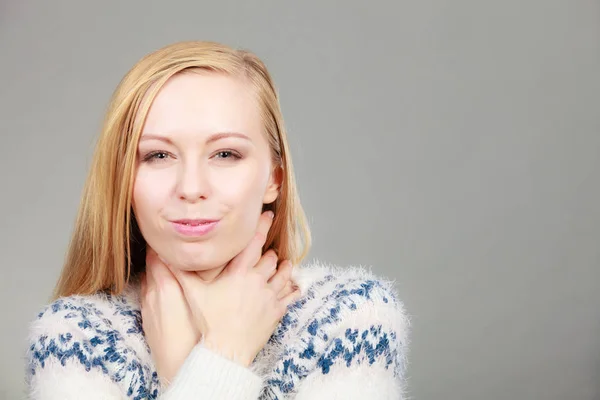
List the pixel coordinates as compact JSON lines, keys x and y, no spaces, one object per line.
{"x":75,"y":352}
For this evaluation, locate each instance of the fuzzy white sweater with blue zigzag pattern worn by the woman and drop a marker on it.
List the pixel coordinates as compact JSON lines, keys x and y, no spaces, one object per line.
{"x":345,"y":338}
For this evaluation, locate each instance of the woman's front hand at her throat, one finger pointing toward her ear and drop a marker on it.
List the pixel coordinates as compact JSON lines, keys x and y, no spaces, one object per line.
{"x":237,"y":312}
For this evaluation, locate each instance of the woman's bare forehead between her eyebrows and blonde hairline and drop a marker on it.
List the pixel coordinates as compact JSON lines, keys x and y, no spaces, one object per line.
{"x":204,"y":102}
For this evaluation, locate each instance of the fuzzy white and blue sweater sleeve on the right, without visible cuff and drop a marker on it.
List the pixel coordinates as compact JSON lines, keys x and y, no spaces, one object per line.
{"x":360,"y":347}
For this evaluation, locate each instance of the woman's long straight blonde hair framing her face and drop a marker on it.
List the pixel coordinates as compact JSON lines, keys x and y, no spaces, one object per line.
{"x":106,"y":247}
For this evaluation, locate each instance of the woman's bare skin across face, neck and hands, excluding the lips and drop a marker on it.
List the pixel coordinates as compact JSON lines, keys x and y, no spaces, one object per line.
{"x":217,"y":287}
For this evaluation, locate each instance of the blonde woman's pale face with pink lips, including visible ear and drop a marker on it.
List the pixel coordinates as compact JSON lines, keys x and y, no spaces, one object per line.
{"x":203,"y":171}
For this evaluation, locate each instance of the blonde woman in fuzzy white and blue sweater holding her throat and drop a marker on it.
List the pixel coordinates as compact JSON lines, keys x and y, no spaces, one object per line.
{"x":182,"y":279}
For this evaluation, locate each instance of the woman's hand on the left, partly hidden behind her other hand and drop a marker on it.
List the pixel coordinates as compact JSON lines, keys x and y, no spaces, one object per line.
{"x":166,"y":319}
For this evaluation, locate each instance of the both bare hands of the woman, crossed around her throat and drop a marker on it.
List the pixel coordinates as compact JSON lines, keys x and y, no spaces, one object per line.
{"x":235,"y":314}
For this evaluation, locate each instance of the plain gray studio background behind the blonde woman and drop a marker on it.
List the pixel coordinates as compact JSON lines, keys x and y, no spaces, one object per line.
{"x":452,"y":145}
